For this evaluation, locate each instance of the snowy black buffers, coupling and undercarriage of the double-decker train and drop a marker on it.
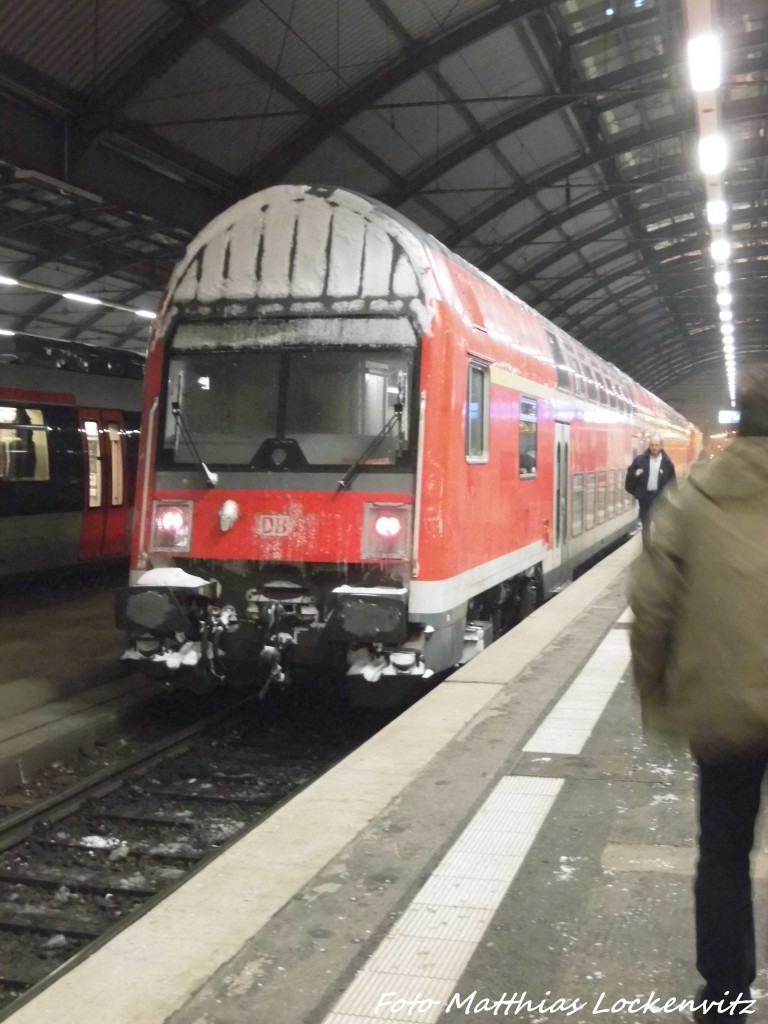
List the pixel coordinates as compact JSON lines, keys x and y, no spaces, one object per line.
{"x":277,"y":622}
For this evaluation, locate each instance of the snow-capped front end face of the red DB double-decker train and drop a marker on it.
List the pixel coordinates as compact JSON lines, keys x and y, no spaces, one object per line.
{"x":276,"y":522}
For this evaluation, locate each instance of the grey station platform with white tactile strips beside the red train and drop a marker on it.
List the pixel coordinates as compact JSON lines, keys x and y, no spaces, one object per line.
{"x":510,"y":847}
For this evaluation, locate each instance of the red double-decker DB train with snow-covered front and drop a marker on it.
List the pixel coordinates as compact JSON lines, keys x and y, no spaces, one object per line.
{"x":360,"y":452}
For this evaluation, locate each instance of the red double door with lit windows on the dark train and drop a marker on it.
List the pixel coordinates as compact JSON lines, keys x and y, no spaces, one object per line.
{"x":105,"y":511}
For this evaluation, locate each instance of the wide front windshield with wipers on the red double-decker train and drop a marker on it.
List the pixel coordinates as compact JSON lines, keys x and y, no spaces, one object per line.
{"x":320,"y":392}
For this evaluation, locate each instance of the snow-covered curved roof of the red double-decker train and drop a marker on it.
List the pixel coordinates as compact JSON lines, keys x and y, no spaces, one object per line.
{"x":223,"y":266}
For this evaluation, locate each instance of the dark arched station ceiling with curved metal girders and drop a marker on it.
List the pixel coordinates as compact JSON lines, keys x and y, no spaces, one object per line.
{"x":552,"y":145}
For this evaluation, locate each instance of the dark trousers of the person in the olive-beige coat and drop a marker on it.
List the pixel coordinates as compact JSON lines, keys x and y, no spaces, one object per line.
{"x":729,"y":804}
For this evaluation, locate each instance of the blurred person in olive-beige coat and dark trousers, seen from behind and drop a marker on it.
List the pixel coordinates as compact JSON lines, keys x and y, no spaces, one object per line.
{"x":700,"y":655}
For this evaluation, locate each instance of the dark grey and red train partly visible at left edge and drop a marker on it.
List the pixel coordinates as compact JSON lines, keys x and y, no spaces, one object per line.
{"x":69,"y":448}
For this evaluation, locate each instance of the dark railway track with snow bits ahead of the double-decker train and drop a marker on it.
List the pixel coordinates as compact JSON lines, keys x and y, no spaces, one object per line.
{"x":78,"y":866}
